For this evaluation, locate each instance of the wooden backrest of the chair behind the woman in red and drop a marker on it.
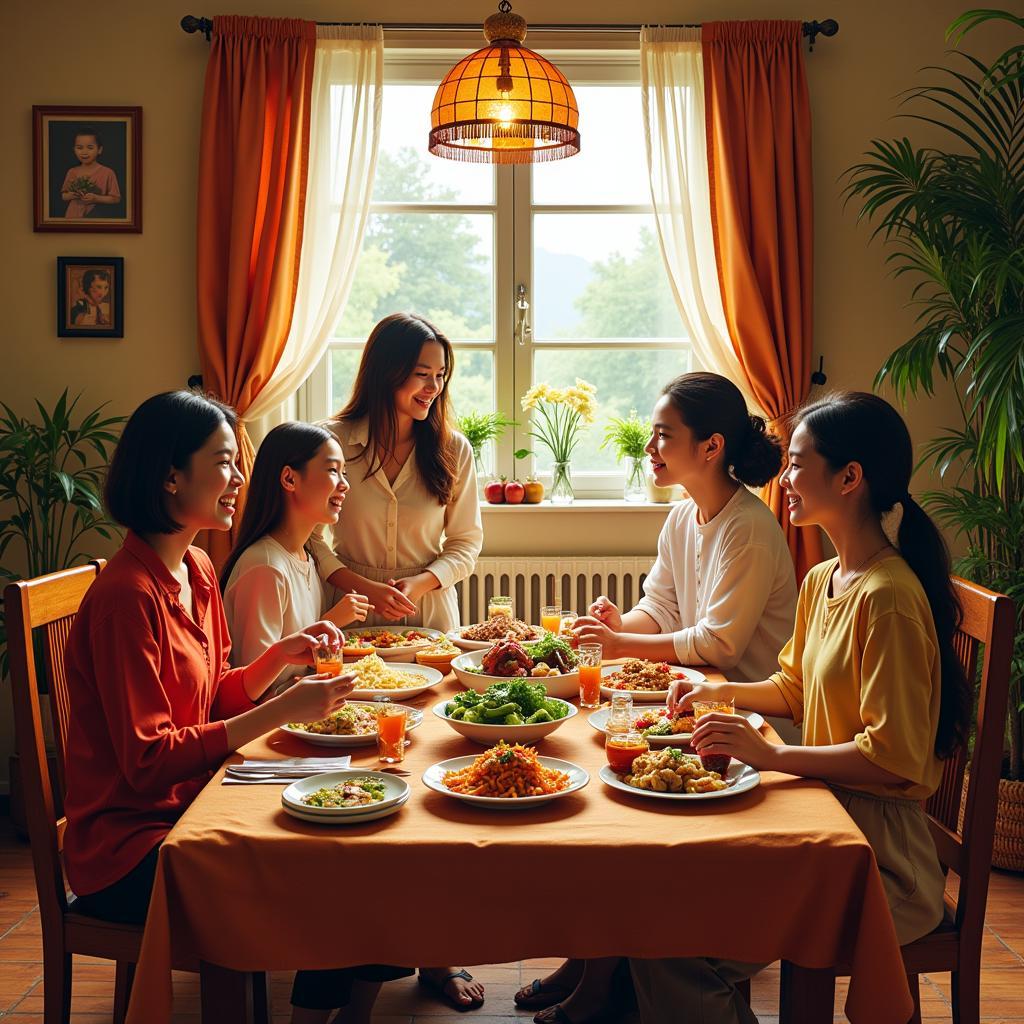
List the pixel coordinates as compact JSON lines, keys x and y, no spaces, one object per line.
{"x":49,"y":604}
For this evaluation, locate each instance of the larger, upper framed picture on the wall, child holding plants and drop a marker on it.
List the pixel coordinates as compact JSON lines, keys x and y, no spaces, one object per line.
{"x":88,"y":168}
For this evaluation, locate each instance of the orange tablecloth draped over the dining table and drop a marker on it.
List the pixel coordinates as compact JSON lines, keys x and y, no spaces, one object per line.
{"x":780,"y":872}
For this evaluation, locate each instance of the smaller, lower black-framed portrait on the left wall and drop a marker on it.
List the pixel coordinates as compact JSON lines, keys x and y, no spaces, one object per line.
{"x":91,"y":297}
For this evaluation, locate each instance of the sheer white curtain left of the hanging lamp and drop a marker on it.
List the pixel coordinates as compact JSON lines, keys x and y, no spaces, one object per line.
{"x":345,"y":134}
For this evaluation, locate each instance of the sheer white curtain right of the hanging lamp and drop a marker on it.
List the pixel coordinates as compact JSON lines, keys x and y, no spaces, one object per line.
{"x":677,"y":158}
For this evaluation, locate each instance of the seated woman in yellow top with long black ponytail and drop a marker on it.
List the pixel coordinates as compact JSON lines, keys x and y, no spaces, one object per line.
{"x":871,"y":669}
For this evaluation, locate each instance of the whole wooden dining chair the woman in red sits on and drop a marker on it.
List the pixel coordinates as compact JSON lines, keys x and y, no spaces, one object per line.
{"x":50,"y":604}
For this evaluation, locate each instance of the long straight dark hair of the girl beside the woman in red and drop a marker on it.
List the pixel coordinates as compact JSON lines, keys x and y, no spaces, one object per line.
{"x":288,"y":445}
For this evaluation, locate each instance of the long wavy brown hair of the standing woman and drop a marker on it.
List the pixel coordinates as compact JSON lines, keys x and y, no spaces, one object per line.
{"x":390,"y":358}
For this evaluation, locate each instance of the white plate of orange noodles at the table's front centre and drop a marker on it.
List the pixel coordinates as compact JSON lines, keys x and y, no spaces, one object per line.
{"x":506,"y":775}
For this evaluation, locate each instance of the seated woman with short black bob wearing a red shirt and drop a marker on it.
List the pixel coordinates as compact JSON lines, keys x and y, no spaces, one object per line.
{"x":155,"y":707}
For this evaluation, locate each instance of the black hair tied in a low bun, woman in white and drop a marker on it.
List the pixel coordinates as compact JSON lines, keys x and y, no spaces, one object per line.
{"x":709,"y":404}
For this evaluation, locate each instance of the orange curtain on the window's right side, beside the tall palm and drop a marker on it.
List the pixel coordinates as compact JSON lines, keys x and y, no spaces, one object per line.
{"x":759,"y":156}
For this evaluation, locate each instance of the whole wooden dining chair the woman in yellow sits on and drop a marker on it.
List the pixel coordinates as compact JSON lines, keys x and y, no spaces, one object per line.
{"x":965,"y":847}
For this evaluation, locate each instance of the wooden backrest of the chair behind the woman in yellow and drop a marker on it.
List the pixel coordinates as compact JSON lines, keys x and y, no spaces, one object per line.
{"x":989,"y":626}
